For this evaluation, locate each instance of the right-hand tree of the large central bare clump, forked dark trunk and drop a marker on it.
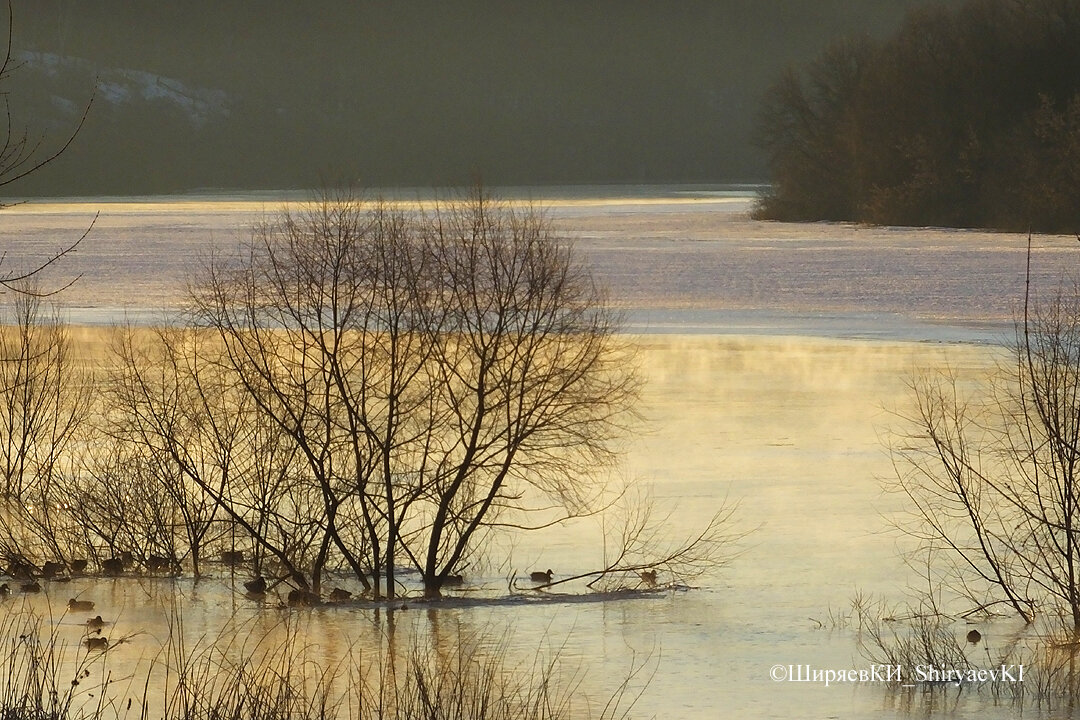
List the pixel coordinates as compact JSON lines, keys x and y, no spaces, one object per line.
{"x":533,"y":383}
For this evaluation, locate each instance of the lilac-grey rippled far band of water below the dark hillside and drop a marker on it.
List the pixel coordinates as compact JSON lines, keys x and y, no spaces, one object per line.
{"x":677,"y":262}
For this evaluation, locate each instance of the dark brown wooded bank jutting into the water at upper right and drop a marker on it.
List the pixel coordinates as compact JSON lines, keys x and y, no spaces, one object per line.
{"x":967,"y":117}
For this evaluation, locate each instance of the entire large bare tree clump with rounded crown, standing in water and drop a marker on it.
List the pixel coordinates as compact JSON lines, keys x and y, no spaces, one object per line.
{"x":429,"y":370}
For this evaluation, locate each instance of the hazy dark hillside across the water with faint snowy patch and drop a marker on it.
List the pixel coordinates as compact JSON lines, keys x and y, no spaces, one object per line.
{"x":282,"y":94}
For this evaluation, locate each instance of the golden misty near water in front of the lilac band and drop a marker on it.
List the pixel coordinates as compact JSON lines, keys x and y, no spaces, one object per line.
{"x":792,"y":428}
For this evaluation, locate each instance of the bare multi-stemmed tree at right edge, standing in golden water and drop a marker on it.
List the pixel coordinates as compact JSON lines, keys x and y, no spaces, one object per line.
{"x":992,"y":472}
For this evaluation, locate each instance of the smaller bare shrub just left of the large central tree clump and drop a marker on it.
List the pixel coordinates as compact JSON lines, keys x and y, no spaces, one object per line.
{"x":206,"y":449}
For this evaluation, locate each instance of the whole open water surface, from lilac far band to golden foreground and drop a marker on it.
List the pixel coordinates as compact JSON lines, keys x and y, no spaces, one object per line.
{"x":777,"y":359}
